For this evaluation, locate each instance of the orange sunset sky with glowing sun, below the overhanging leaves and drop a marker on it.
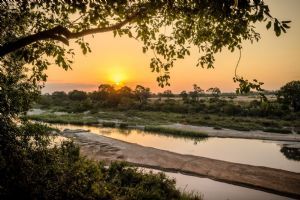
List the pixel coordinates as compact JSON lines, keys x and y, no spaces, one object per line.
{"x":274,"y":61}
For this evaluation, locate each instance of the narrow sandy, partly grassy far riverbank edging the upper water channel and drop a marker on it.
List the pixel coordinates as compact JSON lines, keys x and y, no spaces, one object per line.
{"x":167,"y":128}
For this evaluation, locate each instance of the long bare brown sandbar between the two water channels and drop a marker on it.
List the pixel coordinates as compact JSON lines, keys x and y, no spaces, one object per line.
{"x":267,"y":179}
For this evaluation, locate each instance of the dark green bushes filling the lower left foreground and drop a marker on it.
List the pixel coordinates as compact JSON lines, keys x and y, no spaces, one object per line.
{"x":31,"y":169}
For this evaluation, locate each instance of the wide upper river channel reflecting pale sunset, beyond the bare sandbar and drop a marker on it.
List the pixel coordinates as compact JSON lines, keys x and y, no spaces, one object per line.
{"x":245,"y":151}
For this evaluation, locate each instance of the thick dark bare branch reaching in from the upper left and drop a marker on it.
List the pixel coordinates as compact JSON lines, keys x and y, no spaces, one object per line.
{"x":59,"y":33}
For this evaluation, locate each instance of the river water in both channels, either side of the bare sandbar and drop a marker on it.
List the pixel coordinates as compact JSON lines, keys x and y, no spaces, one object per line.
{"x":253,"y":152}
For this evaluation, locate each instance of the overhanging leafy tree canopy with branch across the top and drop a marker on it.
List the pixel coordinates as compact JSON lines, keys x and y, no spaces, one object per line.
{"x":32,"y":32}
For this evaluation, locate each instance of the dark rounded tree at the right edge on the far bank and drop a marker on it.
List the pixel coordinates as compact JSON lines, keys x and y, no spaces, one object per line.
{"x":290,"y":94}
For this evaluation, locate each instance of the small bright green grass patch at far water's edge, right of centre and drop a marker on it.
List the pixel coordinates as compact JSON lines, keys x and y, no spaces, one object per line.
{"x":175,"y":132}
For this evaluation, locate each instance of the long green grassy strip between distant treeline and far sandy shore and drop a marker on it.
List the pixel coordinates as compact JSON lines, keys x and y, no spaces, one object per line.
{"x":149,"y":118}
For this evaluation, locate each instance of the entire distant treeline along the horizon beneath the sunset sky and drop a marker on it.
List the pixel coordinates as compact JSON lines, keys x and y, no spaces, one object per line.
{"x":195,"y":101}
